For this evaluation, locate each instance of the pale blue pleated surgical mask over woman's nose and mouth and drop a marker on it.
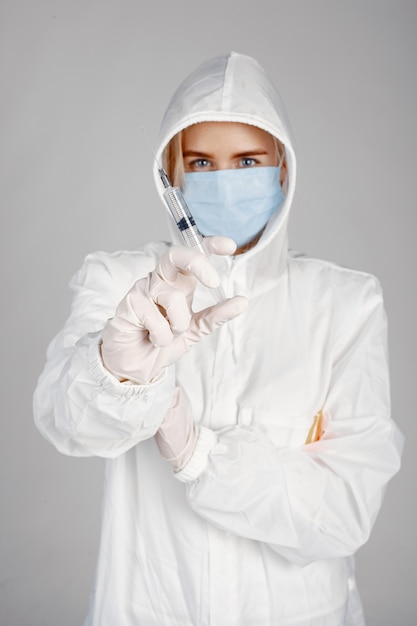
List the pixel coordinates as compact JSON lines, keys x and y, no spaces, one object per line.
{"x":235,"y":203}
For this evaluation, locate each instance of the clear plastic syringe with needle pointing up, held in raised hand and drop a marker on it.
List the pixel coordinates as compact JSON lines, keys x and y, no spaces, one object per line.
{"x":185,"y":222}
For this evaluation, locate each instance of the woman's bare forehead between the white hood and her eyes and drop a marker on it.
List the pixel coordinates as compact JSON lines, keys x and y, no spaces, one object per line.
{"x":226,"y":133}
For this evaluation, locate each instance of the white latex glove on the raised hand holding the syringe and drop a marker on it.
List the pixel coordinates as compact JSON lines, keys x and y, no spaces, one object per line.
{"x":154,"y":323}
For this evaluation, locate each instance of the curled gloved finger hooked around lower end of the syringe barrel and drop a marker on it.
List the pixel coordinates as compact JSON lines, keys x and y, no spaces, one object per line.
{"x":180,"y":260}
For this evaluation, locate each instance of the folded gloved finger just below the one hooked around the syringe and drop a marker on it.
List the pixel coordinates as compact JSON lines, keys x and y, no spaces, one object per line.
{"x":174,"y":304}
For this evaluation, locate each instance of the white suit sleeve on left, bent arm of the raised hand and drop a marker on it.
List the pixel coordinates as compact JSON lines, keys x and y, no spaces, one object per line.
{"x":78,"y":405}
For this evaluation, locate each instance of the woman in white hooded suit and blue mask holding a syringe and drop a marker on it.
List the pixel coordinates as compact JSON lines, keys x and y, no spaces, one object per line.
{"x":272,"y":407}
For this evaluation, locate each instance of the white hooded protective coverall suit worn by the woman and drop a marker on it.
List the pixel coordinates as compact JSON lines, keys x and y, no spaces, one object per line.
{"x":258,"y":529}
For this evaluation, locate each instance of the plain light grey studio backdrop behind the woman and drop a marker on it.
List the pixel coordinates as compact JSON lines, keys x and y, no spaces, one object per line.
{"x":78,"y":79}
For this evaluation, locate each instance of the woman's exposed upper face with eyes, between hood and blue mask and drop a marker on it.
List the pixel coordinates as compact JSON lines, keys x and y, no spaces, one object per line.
{"x":212,"y":146}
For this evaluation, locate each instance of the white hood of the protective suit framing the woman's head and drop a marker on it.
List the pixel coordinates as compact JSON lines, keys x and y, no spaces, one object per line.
{"x":234,"y":88}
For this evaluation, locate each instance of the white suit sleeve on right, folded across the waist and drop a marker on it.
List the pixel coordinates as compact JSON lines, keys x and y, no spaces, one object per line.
{"x":320,"y":500}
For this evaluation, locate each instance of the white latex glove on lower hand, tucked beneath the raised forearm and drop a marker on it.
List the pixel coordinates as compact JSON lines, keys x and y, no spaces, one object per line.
{"x":177,"y":436}
